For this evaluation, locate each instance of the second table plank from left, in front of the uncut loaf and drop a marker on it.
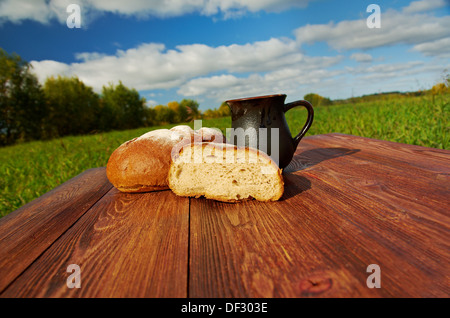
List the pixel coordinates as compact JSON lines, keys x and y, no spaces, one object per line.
{"x":127,"y":245}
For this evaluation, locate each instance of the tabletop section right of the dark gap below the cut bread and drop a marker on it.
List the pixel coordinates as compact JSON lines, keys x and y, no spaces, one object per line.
{"x":349,"y":202}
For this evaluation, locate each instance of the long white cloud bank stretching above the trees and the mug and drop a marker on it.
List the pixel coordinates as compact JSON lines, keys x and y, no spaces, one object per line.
{"x":272,"y":65}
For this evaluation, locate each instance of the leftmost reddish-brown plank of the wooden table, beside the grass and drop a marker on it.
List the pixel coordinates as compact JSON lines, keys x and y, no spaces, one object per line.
{"x":30,"y":230}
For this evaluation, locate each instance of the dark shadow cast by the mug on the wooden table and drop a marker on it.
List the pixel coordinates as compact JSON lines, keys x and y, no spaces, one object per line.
{"x":312,"y":157}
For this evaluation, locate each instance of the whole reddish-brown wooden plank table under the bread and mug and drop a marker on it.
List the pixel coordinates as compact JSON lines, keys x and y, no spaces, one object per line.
{"x":349,"y":202}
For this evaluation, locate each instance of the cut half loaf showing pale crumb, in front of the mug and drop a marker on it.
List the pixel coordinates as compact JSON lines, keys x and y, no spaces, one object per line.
{"x":225,"y":172}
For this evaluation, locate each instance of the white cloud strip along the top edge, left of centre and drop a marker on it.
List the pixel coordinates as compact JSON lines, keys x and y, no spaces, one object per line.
{"x":44,"y":11}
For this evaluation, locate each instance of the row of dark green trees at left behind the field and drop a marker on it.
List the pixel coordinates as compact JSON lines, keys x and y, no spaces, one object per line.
{"x":66,"y":106}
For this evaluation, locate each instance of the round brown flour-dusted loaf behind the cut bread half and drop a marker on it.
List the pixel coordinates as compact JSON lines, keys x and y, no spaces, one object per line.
{"x":142,"y":164}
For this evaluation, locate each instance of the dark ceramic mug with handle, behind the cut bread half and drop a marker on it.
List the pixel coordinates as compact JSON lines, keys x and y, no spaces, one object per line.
{"x":259,"y":122}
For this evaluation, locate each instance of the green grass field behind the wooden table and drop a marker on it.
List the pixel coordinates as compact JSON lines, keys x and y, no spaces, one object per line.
{"x":31,"y":169}
